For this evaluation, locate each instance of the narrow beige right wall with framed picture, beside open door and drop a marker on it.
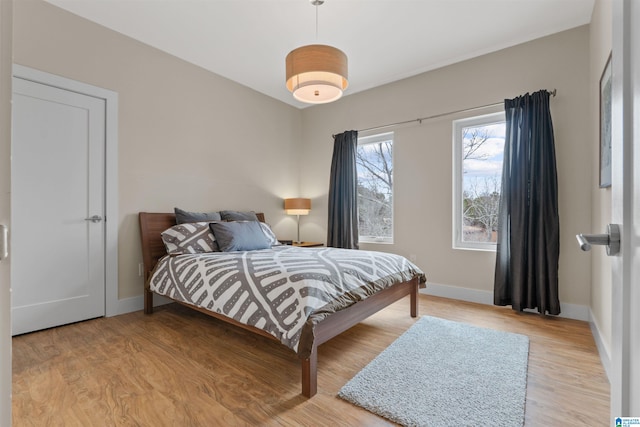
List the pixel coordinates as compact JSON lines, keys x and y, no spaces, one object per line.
{"x":600,"y":49}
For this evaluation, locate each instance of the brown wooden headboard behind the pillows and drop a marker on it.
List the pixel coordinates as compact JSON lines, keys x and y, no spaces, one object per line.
{"x":151,"y":226}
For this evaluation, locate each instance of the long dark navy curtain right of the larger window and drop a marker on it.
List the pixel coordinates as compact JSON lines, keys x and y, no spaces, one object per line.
{"x":528,"y":248}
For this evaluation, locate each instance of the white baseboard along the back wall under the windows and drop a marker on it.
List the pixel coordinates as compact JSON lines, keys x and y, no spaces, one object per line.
{"x":569,"y":311}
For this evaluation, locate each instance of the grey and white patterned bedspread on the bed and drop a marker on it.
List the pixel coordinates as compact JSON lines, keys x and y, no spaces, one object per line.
{"x":284,"y":290}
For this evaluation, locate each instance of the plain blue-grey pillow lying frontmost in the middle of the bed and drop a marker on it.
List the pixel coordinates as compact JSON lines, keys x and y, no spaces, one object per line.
{"x":239,"y":236}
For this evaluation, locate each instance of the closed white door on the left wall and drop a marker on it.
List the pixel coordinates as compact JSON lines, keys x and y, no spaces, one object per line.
{"x":58,"y":184}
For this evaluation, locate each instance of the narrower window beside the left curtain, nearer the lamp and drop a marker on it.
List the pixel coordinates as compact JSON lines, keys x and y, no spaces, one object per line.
{"x":374,"y":161}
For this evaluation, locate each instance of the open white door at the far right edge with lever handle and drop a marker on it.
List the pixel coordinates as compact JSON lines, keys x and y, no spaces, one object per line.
{"x":625,"y":342}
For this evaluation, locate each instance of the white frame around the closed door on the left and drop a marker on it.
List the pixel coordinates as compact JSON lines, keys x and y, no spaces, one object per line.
{"x":111,"y":170}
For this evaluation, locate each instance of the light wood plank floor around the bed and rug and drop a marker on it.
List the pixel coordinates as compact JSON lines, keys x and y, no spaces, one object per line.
{"x":178,"y":367}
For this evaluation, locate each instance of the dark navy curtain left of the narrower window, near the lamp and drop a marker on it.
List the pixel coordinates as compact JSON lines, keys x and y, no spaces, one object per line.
{"x":342,"y":230}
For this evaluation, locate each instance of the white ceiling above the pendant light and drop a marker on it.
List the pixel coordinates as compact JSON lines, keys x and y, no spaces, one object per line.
{"x":385,"y":40}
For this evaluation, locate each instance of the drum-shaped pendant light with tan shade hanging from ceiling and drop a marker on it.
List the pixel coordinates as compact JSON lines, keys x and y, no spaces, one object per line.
{"x":316,"y":74}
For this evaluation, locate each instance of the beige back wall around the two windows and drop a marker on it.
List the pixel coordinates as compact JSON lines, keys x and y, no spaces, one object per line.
{"x":423,"y":156}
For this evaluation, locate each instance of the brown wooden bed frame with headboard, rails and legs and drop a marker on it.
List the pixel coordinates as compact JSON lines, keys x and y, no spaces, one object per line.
{"x":152,"y":224}
